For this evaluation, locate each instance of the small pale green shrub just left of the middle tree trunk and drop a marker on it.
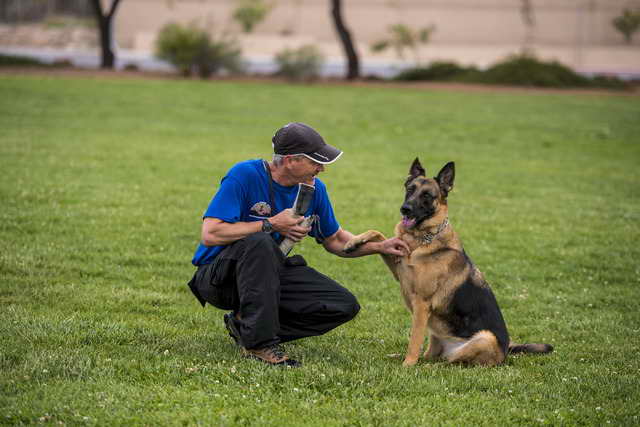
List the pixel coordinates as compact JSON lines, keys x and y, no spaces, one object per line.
{"x":303,"y":63}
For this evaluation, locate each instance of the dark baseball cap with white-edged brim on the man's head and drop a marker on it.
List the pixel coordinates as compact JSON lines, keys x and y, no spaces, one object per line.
{"x":298,"y":138}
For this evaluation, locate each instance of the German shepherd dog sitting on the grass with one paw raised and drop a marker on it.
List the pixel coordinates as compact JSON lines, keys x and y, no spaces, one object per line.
{"x":445,"y":292}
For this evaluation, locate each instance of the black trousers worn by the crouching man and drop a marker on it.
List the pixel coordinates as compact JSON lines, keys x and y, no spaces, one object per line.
{"x":277,"y":302}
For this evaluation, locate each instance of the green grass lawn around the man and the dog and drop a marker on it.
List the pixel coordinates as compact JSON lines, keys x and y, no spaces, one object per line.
{"x":104,"y":183}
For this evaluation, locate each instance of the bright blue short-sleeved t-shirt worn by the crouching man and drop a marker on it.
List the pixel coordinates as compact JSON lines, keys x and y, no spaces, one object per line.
{"x":243,"y":196}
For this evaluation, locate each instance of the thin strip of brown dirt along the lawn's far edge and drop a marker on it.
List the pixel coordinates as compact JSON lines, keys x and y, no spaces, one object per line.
{"x":451,"y":87}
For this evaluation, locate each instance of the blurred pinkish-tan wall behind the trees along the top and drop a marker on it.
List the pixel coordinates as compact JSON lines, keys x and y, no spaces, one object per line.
{"x":458,"y":21}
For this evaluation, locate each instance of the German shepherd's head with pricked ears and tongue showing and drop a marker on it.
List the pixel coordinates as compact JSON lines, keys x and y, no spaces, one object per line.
{"x":425,"y":197}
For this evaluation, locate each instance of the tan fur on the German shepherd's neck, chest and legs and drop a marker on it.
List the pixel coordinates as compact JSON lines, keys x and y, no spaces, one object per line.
{"x":428,"y":277}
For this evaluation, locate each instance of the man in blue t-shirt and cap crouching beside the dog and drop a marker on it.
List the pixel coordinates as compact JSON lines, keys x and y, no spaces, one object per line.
{"x":274,"y":298}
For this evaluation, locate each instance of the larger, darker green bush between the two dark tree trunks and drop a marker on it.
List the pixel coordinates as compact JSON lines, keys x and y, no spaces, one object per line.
{"x":190,"y":49}
